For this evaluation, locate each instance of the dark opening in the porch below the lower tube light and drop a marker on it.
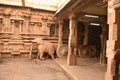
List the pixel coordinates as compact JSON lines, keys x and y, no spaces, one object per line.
{"x":94,"y":38}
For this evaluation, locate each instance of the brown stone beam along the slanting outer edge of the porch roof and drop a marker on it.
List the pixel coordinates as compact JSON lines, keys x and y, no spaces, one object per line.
{"x":77,"y":7}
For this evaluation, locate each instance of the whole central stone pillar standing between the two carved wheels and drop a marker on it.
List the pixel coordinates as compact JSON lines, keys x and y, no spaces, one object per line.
{"x":72,"y":44}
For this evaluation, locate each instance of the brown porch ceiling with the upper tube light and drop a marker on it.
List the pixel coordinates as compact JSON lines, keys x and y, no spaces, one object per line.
{"x":82,"y":8}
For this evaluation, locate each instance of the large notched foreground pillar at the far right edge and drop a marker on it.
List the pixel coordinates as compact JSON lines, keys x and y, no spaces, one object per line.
{"x":113,"y":44}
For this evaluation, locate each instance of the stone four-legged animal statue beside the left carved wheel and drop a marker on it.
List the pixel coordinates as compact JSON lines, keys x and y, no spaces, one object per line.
{"x":45,"y":47}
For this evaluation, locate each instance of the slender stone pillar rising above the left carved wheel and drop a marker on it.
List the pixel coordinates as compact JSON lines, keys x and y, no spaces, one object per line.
{"x":60,"y":42}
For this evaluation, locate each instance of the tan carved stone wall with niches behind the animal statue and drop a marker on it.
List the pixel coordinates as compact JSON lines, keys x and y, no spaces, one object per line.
{"x":19,"y":26}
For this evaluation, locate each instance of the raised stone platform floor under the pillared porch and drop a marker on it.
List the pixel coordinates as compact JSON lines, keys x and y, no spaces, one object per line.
{"x":86,"y":69}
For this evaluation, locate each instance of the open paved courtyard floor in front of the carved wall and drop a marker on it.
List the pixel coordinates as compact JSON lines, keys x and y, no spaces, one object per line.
{"x":21,"y":69}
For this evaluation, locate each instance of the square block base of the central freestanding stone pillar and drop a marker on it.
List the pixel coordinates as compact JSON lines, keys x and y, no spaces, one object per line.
{"x":72,"y":60}
